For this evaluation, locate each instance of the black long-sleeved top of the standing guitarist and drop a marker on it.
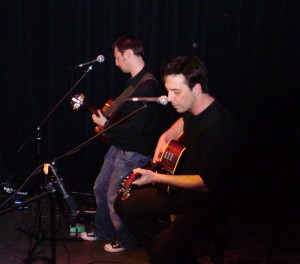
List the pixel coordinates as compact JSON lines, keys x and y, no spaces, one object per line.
{"x":140,"y":132}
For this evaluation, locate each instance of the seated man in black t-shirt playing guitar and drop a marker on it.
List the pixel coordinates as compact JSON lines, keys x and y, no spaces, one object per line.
{"x":200,"y":196}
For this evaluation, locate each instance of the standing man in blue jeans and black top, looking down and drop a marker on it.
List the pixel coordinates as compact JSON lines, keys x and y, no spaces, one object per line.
{"x":133,"y":141}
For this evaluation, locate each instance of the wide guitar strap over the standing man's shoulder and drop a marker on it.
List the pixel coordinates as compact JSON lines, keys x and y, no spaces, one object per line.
{"x":118,"y":102}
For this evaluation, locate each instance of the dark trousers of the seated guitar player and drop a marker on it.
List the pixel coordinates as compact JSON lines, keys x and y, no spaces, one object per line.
{"x":197,"y":218}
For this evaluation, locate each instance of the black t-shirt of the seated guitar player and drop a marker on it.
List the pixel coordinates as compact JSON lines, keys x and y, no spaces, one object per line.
{"x":212,"y":142}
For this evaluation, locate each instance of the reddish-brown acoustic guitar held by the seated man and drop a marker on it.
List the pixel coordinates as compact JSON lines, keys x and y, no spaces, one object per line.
{"x":168,"y":164}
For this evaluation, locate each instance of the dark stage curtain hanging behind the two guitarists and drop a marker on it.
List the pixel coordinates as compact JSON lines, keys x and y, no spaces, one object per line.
{"x":251,"y":50}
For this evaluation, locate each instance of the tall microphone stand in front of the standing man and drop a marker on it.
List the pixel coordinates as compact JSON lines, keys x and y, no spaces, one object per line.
{"x":38,"y":137}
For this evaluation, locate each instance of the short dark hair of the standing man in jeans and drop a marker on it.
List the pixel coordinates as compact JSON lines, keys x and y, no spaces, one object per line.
{"x":128,"y":42}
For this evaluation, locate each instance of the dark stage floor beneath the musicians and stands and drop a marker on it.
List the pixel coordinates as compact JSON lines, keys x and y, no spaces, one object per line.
{"x":260,"y":236}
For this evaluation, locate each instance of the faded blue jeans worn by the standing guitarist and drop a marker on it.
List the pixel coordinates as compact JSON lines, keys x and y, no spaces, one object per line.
{"x":117,"y":165}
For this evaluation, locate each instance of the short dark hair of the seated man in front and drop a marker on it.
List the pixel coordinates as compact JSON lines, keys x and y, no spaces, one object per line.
{"x":191,"y":67}
